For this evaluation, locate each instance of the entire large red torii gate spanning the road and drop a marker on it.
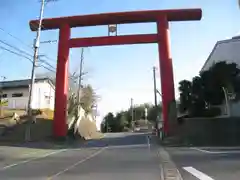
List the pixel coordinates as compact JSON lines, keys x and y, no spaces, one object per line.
{"x":161,"y":17}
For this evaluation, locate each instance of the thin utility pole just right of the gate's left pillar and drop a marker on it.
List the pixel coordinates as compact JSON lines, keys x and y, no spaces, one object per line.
{"x":80,"y":82}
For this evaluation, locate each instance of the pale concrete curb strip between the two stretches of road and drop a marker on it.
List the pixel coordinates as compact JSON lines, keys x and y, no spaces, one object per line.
{"x":168,"y":169}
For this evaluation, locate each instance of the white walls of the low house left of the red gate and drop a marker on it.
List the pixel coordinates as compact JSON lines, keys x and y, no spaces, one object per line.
{"x":17,"y":93}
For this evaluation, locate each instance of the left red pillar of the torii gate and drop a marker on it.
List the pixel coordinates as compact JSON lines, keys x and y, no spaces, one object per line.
{"x":61,"y":93}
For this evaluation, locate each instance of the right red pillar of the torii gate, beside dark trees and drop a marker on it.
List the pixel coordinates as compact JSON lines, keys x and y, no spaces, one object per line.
{"x":166,"y":72}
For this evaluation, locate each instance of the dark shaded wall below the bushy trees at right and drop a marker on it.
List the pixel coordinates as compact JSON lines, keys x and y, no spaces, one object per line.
{"x":210,"y":131}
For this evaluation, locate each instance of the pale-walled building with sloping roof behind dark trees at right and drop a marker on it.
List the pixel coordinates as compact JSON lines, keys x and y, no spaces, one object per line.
{"x":229,"y":51}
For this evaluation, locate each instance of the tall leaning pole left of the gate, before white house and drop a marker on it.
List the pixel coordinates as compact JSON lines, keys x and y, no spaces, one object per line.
{"x":35,"y":57}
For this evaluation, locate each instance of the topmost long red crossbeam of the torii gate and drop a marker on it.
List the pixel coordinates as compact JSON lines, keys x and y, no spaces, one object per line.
{"x":118,"y":18}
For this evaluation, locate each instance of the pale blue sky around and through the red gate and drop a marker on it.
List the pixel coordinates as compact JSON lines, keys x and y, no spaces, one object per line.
{"x":118,"y":73}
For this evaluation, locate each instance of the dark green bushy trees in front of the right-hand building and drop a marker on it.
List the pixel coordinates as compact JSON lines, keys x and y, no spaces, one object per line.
{"x":198,"y":96}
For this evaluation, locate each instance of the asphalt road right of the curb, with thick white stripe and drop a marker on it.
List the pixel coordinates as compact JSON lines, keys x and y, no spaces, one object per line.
{"x":207,"y":163}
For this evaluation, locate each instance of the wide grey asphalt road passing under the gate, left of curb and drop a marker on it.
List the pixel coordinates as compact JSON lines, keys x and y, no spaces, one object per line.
{"x":123,"y":156}
